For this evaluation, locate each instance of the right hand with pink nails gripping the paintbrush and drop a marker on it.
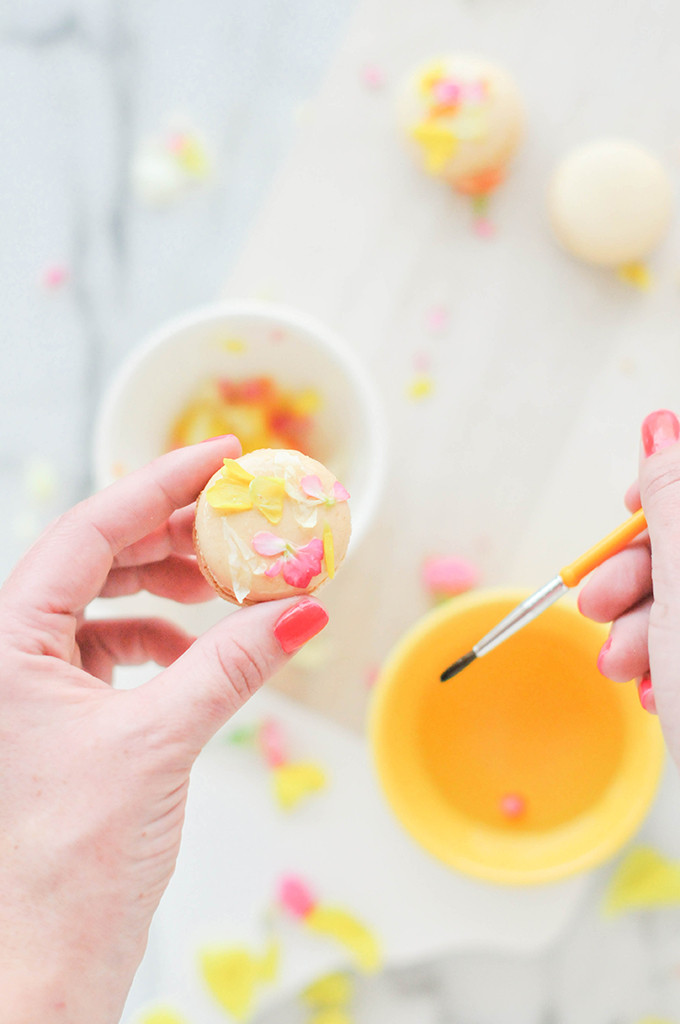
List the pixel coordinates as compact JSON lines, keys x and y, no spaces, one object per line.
{"x":639,"y":590}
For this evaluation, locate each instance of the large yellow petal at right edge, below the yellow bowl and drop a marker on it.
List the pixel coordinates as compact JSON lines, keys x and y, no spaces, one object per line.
{"x":645,"y":880}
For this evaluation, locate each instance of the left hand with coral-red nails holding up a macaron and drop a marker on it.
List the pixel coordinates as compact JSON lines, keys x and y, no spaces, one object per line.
{"x":95,"y":779}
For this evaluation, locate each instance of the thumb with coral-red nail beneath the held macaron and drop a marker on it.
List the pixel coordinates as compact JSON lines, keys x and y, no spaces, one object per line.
{"x":200,"y":692}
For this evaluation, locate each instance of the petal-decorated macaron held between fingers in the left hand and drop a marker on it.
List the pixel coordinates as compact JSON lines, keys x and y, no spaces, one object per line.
{"x":273,"y":524}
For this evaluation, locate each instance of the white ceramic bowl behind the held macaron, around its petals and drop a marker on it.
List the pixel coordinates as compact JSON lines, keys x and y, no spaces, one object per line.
{"x":162,"y":375}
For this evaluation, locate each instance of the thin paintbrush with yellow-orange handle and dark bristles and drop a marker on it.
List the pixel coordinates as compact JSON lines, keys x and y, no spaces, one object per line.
{"x":542,"y":600}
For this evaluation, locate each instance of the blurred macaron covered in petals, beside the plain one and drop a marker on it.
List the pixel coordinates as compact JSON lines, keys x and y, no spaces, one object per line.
{"x":464,"y":118}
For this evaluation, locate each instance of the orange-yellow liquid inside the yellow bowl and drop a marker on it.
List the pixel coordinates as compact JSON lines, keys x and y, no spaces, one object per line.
{"x":530,"y":723}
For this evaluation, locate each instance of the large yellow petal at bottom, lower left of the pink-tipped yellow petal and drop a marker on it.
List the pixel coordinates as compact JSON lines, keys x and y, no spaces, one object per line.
{"x":234,"y":974}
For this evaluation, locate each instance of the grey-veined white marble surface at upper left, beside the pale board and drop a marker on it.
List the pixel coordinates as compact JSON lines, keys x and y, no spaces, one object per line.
{"x":82,"y":86}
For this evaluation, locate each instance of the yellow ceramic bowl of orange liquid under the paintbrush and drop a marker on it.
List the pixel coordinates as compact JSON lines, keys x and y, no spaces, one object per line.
{"x":529,"y":766}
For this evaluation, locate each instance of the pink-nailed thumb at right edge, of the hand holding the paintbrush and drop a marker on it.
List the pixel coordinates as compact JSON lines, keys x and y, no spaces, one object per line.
{"x":660,"y":494}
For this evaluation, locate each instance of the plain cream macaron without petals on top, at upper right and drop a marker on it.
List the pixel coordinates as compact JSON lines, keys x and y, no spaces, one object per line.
{"x":610,"y":203}
